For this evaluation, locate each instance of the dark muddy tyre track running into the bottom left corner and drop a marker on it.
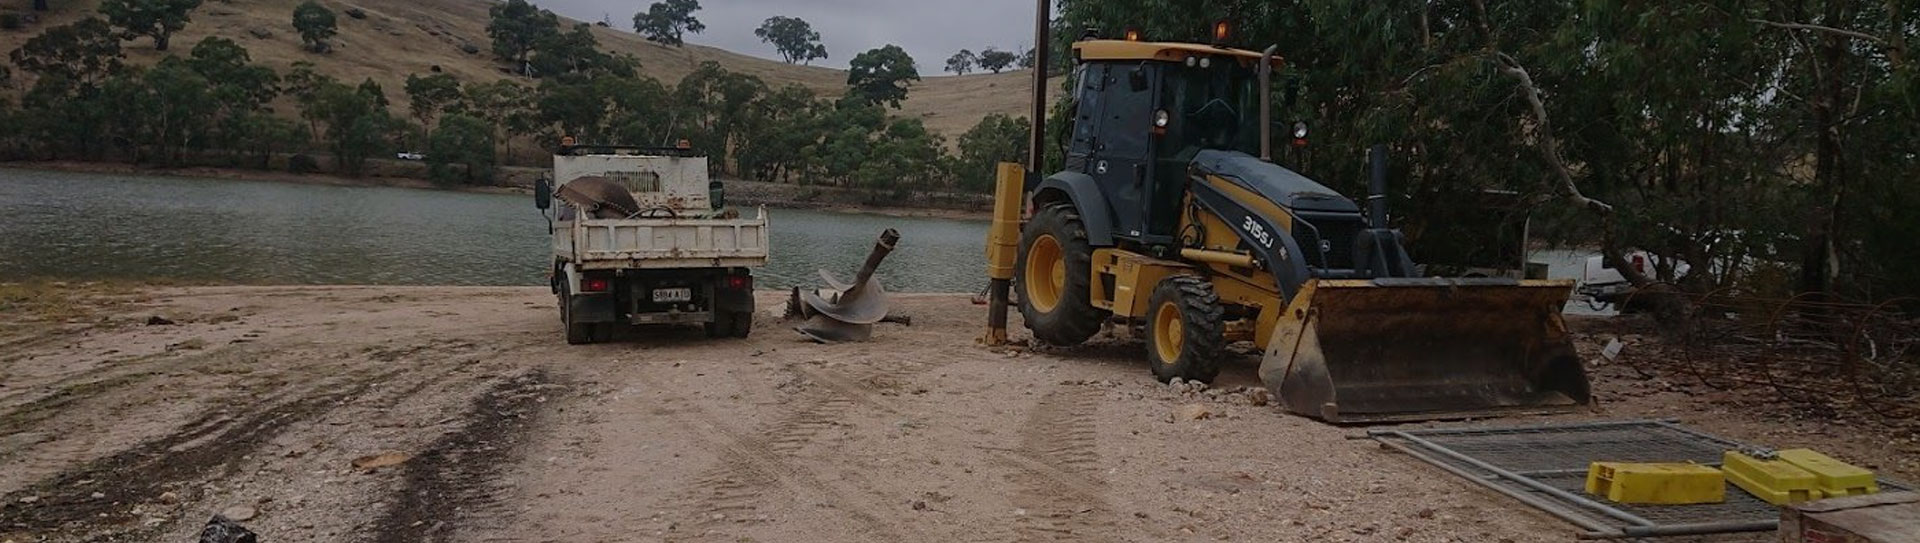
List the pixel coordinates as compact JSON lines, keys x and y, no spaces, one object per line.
{"x":212,"y":444}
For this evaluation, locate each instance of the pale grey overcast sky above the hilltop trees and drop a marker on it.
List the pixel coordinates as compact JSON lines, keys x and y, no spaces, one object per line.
{"x":928,"y":30}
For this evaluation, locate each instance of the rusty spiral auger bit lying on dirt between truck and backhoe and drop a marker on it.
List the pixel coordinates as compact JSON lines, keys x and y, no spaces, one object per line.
{"x":846,"y":312}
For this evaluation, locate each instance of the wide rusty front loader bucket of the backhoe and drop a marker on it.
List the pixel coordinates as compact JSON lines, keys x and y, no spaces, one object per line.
{"x":1426,"y":348}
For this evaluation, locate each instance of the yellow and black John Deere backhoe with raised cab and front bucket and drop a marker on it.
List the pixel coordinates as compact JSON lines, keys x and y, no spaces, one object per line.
{"x":1170,"y":218}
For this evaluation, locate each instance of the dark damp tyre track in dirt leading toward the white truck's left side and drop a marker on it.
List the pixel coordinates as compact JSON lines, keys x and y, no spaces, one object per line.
{"x":456,"y":481}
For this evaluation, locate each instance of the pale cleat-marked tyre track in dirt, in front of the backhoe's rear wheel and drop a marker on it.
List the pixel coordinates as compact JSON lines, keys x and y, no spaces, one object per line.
{"x":1057,"y":471}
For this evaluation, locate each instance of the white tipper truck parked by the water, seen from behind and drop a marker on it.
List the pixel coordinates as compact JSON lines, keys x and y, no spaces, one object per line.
{"x":642,"y":237}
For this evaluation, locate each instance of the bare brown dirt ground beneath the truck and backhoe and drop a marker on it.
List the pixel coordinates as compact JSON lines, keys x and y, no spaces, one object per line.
{"x":460,"y":415}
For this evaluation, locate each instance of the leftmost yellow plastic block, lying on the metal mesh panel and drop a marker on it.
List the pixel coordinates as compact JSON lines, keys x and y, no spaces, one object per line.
{"x":1656,"y":483}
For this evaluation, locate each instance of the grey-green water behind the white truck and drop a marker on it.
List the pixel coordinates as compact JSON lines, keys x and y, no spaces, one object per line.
{"x":84,"y":227}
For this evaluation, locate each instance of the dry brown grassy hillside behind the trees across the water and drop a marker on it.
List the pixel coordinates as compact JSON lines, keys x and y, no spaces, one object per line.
{"x":398,"y":39}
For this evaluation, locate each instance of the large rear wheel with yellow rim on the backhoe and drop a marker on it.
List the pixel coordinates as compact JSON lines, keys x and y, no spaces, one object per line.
{"x":1055,"y":275}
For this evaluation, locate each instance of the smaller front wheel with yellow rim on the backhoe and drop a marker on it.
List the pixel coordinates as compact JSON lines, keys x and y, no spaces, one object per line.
{"x":1186,"y":331}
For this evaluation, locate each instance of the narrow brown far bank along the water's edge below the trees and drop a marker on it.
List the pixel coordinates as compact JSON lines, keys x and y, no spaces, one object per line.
{"x":521,"y":181}
